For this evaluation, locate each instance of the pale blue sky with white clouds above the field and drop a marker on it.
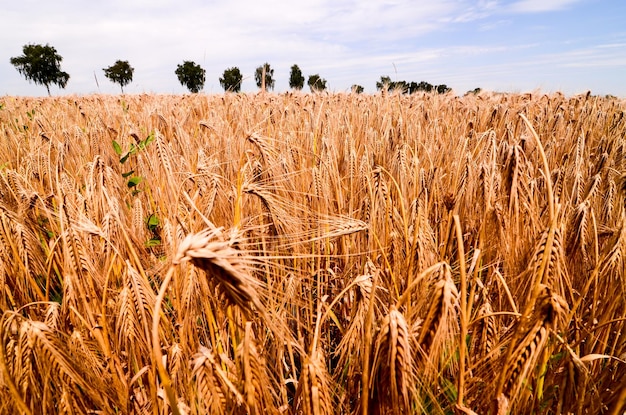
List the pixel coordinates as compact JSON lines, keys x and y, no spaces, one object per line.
{"x":504,"y":45}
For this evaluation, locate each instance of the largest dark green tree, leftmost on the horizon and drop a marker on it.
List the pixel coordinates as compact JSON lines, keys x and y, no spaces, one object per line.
{"x":42,"y":65}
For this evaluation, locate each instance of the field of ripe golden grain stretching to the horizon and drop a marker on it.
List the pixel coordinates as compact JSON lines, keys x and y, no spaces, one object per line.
{"x":313,"y":254}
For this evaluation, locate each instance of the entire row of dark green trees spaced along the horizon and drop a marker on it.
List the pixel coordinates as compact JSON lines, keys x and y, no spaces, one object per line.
{"x":42,"y":65}
